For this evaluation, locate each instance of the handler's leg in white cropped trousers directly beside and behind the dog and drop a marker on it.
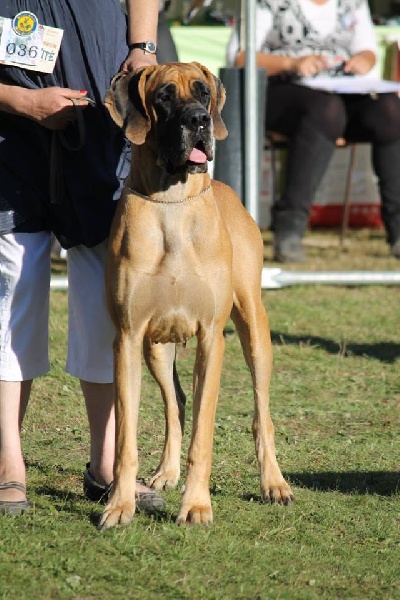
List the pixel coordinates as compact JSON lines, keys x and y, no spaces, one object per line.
{"x":90,"y":359}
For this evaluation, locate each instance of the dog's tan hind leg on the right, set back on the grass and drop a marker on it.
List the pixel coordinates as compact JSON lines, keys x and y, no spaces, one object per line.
{"x":251,"y":322}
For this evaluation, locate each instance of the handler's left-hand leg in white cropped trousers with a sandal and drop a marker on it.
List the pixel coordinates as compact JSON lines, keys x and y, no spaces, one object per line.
{"x":24,"y":302}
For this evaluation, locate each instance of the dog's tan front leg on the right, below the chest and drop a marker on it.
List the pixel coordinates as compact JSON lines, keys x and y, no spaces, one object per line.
{"x":196,"y":501}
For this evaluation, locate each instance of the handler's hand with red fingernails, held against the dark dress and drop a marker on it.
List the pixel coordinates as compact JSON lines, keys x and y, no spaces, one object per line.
{"x":52,"y":107}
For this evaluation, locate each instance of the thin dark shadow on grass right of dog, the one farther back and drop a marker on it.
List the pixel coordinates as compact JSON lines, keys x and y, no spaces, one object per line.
{"x":386,"y":352}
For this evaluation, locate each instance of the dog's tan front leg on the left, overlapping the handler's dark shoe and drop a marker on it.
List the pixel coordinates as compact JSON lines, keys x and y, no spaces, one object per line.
{"x":127,"y":365}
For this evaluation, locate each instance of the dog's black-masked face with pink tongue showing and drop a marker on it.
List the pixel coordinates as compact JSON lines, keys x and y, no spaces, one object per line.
{"x":184,"y":128}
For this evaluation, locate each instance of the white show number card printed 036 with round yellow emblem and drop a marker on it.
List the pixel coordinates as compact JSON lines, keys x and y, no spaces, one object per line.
{"x":26,"y":43}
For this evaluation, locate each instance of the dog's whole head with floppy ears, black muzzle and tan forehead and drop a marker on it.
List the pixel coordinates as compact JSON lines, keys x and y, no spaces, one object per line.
{"x":175,"y":108}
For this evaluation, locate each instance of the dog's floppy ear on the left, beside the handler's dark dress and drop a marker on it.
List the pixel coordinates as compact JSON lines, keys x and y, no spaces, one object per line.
{"x":125,"y":100}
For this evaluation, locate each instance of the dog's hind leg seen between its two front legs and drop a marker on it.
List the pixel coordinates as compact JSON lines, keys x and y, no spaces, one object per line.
{"x":160,"y":360}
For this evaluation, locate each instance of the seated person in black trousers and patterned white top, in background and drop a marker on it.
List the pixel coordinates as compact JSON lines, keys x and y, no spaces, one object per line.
{"x":312,"y":38}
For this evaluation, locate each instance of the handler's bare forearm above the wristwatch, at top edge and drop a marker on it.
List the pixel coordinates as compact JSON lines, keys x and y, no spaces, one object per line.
{"x":142,"y":20}
